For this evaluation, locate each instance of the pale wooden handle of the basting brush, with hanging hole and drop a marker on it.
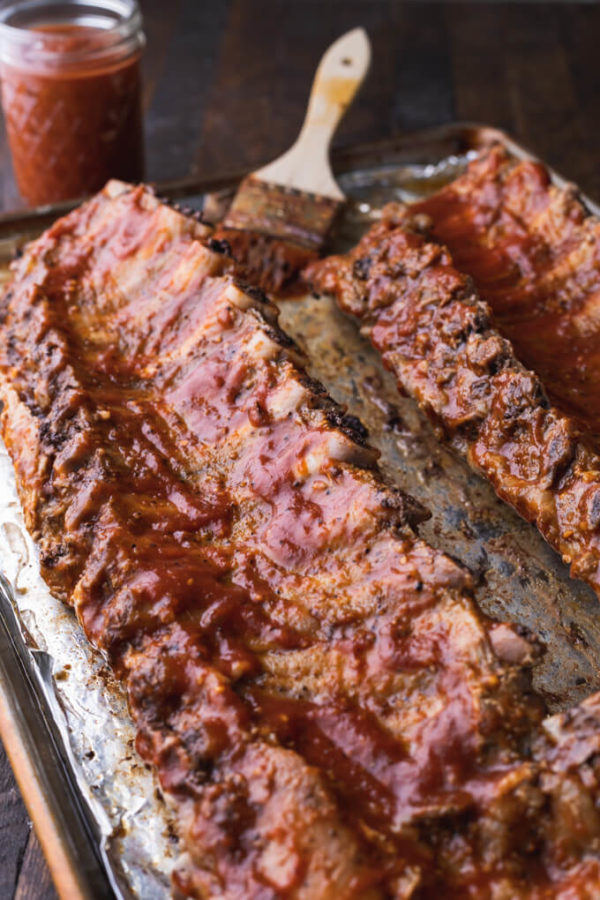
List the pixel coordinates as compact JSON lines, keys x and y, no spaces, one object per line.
{"x":341,"y":71}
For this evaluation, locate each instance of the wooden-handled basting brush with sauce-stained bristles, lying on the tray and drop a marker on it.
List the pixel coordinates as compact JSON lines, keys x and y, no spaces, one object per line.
{"x":282,"y":213}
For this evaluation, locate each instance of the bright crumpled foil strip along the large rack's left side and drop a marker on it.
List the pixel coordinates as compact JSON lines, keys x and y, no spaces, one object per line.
{"x":90,"y":706}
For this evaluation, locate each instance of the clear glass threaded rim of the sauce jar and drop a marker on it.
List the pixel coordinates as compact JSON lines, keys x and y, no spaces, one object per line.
{"x":121,"y":30}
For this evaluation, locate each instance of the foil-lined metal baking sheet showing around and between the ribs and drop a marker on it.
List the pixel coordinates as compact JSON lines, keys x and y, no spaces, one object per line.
{"x":519,"y":578}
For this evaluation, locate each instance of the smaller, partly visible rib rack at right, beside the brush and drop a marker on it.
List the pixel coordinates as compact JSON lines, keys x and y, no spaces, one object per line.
{"x":529,"y":251}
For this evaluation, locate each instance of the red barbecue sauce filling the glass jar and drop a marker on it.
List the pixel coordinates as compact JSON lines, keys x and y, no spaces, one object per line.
{"x":73,"y":127}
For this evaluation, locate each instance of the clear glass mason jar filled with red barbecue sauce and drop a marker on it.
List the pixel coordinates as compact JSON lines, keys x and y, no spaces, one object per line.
{"x":71,"y":94}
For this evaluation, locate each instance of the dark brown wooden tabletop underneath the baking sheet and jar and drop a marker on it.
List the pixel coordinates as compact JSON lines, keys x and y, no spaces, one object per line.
{"x":226,"y":87}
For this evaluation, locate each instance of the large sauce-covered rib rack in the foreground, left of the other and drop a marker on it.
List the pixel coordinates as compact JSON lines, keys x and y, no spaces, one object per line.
{"x":325,"y":706}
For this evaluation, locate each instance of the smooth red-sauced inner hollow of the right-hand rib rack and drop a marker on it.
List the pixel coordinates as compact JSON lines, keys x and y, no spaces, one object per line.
{"x":534,"y":255}
